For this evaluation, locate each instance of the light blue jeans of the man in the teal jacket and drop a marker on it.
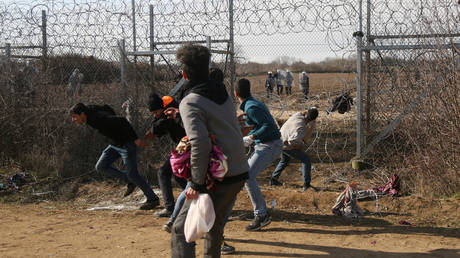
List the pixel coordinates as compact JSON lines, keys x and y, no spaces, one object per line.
{"x":264,"y":154}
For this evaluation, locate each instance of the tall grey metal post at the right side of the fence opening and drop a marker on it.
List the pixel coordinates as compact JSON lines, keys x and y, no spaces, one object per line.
{"x":359,"y":40}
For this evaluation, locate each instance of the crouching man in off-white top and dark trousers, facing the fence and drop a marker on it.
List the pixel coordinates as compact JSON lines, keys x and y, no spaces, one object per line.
{"x":295,"y":133}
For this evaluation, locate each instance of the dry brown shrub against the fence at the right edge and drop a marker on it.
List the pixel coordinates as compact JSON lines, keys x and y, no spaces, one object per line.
{"x":425,"y":147}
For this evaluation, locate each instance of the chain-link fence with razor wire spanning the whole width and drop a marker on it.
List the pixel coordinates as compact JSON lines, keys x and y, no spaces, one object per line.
{"x":56,"y":53}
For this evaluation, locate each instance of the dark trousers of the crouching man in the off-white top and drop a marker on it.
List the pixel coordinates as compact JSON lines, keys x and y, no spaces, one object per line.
{"x":296,"y":154}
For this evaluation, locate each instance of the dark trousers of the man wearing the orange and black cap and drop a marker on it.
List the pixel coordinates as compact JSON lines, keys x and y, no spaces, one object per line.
{"x":164,"y":179}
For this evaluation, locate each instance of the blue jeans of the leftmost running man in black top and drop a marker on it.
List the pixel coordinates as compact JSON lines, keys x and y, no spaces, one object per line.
{"x":129,"y":155}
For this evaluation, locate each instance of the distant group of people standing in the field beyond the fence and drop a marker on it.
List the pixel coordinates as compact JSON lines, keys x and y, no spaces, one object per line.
{"x":276,"y":80}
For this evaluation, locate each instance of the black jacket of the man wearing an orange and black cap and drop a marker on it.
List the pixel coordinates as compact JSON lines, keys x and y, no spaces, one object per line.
{"x":163,"y":125}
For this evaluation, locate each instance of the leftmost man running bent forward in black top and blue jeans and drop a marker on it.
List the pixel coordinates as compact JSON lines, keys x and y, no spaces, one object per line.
{"x":124,"y":142}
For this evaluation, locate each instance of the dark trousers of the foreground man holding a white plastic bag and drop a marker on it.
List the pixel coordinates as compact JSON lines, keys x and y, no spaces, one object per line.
{"x":222,"y":199}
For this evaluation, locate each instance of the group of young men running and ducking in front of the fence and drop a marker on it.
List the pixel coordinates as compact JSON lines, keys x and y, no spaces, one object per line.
{"x":201,"y":108}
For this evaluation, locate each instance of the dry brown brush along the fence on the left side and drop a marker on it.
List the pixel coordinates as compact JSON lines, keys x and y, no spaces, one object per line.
{"x":36,"y":132}
